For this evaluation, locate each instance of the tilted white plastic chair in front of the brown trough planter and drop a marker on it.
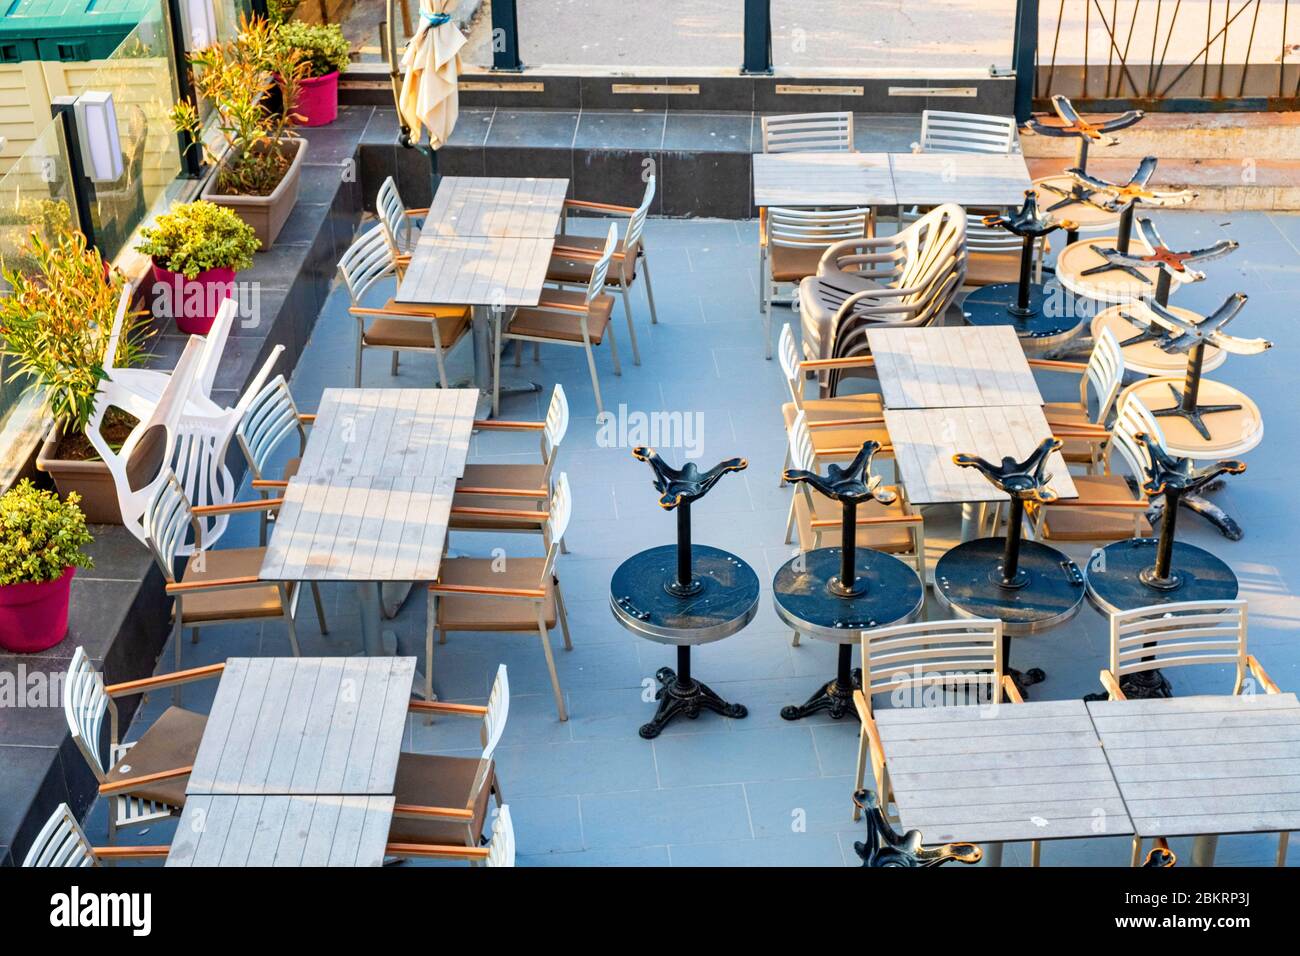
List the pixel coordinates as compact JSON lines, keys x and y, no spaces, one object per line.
{"x":141,"y":466}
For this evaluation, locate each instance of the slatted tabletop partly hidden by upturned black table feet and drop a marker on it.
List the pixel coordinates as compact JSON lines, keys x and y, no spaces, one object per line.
{"x":925,"y":442}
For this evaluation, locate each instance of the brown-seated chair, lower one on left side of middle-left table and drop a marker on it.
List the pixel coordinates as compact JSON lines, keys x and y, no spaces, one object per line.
{"x":215,"y":587}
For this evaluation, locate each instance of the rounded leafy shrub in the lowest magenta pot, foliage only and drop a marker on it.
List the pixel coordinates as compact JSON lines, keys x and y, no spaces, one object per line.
{"x":40,"y":535}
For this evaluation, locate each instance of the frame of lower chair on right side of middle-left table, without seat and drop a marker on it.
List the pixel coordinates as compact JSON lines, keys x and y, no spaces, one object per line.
{"x":557,"y":521}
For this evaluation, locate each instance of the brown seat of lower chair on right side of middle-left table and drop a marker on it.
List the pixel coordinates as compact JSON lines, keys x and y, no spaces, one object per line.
{"x":488,"y":612}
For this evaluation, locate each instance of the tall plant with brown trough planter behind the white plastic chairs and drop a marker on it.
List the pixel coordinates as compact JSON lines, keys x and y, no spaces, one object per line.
{"x":54,"y":331}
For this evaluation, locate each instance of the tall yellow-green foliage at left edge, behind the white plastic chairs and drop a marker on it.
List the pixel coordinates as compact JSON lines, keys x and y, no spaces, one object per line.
{"x":57,"y":321}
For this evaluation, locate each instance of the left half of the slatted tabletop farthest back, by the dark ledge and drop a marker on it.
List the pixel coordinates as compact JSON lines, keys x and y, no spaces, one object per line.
{"x":824,"y":179}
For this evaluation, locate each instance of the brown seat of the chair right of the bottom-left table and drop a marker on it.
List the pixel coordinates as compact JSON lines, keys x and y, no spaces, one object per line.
{"x":436,"y":781}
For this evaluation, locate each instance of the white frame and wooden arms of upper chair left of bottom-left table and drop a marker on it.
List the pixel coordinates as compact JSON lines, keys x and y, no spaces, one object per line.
{"x":86,"y":703}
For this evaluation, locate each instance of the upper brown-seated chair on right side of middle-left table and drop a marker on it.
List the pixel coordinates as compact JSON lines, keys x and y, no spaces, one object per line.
{"x":488,"y":490}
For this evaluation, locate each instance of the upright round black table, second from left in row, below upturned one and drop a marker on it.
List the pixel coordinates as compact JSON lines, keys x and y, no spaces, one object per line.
{"x":805,"y":592}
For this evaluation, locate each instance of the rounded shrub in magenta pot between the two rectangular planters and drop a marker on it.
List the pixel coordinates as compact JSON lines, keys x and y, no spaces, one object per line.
{"x":197,"y":249}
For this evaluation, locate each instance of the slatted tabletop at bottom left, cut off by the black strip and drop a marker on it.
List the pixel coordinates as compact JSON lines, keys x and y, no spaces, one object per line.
{"x":228,"y":830}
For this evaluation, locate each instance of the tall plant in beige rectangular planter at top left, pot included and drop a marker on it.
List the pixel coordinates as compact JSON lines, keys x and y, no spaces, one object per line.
{"x":259,"y":168}
